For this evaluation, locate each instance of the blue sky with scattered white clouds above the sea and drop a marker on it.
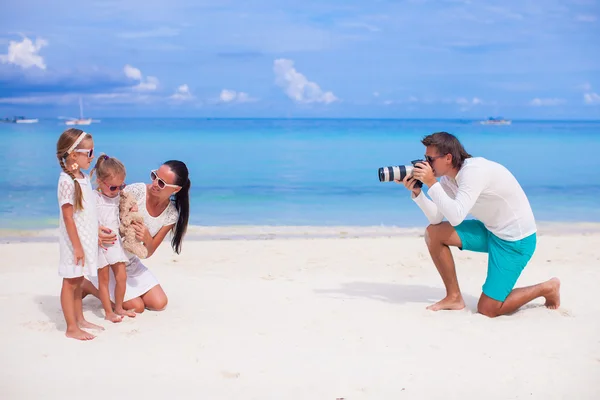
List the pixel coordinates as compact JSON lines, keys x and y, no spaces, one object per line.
{"x":266,"y":58}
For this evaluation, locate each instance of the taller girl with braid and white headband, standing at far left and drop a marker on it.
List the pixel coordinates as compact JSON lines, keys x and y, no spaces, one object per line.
{"x":78,"y":227}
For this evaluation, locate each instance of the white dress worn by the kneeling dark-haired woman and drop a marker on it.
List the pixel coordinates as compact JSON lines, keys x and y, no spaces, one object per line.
{"x":139,"y":278}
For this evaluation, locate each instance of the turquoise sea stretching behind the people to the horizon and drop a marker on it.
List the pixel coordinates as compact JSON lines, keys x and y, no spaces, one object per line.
{"x":320,"y":172}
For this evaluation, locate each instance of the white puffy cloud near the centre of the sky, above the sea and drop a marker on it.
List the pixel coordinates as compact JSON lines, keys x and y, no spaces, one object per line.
{"x":297,"y":86}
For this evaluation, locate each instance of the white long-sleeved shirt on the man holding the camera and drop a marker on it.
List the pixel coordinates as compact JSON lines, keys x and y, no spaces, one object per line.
{"x":486,"y":190}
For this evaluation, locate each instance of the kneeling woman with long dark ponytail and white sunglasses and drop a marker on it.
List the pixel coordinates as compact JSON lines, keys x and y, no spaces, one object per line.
{"x":164,"y":205}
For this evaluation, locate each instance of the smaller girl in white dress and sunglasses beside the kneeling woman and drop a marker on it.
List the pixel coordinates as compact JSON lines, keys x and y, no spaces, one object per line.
{"x":110,"y":178}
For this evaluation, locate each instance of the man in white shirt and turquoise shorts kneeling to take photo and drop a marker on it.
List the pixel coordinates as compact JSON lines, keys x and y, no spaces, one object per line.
{"x":504,"y":225}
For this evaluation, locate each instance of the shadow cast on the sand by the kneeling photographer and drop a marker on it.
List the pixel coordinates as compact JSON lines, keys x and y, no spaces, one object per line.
{"x":395,"y":293}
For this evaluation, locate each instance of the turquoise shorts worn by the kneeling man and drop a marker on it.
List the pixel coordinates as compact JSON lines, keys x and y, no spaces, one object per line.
{"x":506,"y":260}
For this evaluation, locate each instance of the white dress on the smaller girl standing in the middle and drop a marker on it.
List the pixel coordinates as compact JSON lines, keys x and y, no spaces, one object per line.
{"x":108,"y":216}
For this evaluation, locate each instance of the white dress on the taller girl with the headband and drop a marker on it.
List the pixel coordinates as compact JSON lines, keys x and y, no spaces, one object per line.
{"x":86,"y":221}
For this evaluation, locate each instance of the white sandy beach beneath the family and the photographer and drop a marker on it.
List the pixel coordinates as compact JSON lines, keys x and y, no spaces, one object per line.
{"x":306,"y":313}
